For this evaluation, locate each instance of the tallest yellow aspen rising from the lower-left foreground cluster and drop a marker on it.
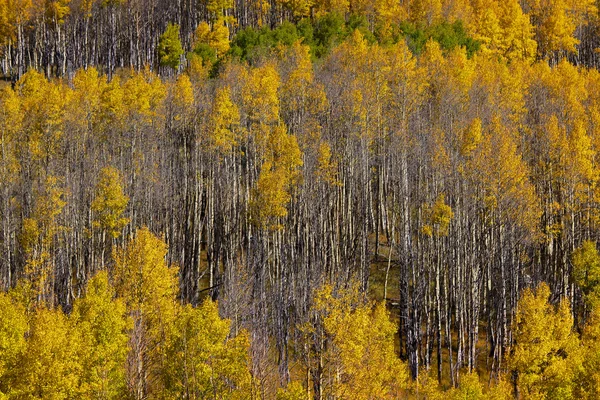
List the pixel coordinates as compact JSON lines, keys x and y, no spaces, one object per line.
{"x":149,"y":289}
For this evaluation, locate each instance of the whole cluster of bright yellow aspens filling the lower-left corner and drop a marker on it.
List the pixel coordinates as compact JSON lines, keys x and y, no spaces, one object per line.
{"x":127,"y":339}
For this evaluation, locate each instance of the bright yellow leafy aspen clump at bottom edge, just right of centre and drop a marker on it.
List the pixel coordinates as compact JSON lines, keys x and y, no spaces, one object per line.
{"x":358,"y":347}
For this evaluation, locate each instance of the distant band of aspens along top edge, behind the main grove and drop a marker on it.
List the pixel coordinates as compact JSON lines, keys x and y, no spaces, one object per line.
{"x":62,"y":36}
